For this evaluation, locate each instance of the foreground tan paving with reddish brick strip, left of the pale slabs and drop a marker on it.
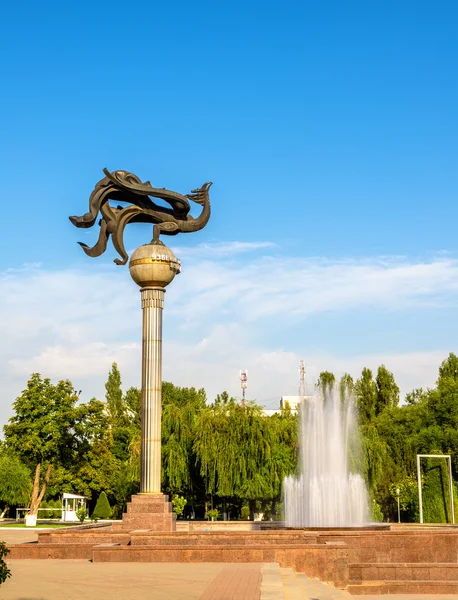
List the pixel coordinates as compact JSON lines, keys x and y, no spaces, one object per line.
{"x":82,"y":580}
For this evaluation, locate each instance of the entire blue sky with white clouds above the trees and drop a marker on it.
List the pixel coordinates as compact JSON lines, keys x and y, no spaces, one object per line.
{"x":329,"y":130}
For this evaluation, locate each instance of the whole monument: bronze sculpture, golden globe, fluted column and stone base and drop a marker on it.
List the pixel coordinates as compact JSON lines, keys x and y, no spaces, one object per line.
{"x":152,"y":266}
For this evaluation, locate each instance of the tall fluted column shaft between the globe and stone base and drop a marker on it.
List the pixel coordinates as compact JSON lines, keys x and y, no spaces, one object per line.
{"x":152,"y":306}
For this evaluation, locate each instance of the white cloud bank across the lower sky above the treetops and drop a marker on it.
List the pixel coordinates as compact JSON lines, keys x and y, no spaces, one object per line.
{"x":222,"y":314}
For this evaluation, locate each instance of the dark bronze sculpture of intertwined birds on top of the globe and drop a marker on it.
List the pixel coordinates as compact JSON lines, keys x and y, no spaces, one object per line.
{"x":127,"y":187}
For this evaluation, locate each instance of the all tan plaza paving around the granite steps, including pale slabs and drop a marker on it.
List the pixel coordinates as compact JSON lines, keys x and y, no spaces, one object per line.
{"x":83,"y":580}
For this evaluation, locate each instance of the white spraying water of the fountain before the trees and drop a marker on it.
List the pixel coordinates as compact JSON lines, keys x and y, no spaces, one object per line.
{"x":327,"y":493}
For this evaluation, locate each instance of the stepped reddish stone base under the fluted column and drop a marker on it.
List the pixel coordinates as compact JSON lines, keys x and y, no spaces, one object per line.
{"x":148,"y":511}
